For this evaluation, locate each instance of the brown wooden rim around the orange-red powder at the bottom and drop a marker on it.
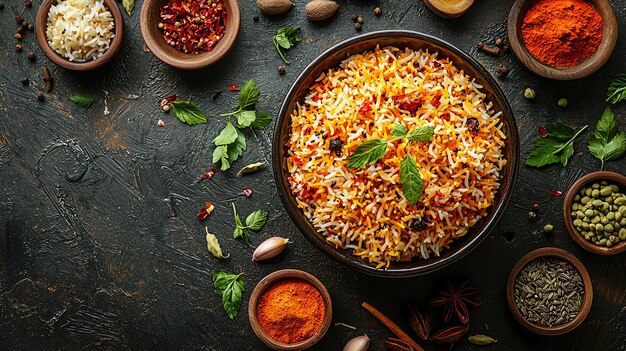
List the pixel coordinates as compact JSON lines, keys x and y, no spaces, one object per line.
{"x":266,"y":283}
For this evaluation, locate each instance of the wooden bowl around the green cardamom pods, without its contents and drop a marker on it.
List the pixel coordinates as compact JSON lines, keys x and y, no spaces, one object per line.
{"x":567,"y":211}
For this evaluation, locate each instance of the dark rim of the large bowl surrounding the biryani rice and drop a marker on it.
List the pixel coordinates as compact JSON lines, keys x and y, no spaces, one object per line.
{"x":330,"y":59}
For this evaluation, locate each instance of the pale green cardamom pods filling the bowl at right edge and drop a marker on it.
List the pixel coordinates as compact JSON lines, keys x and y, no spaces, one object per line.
{"x":599,"y":213}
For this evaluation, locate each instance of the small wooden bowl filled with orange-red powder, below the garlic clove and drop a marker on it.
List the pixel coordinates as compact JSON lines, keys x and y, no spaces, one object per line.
{"x":290,"y":310}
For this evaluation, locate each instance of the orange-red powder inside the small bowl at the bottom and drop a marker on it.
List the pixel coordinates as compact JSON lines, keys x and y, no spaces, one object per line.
{"x":291,"y":311}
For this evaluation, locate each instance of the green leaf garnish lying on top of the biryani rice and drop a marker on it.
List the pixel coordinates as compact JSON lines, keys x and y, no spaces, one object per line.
{"x":370,"y":151}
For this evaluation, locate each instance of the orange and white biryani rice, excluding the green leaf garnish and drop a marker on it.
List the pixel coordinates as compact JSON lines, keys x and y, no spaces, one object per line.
{"x":364,"y":210}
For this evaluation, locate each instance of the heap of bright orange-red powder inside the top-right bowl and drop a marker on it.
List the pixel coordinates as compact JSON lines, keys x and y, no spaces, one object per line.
{"x":562,"y":33}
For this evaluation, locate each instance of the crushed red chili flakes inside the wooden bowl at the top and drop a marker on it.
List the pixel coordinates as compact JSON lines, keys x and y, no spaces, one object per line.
{"x":193,"y":26}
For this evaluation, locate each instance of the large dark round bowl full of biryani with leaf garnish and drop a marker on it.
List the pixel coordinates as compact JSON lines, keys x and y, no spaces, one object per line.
{"x":395,"y":153}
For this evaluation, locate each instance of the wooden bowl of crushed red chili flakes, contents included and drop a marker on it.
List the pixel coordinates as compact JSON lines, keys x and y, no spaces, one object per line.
{"x":190,"y":34}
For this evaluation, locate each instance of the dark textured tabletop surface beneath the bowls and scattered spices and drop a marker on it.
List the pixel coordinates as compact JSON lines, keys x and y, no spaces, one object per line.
{"x":100,"y":247}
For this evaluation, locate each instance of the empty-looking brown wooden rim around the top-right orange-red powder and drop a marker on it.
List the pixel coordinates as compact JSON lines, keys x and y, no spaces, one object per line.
{"x":585,"y":68}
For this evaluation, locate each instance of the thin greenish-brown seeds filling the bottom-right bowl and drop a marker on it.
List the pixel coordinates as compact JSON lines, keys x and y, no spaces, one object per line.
{"x":548,"y":291}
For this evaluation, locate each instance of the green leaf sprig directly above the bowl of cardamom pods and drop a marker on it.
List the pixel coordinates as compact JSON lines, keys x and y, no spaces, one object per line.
{"x":606,"y":143}
